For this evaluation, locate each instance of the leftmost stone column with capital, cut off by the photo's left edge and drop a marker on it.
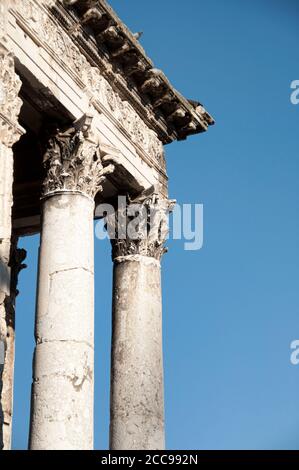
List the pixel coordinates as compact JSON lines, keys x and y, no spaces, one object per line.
{"x":10,"y":132}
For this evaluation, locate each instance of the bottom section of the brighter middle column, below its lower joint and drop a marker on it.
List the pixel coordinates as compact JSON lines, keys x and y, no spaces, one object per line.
{"x":62,"y":396}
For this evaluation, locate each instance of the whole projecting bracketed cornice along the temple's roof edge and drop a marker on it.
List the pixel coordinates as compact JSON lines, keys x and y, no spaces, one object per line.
{"x":107,"y":42}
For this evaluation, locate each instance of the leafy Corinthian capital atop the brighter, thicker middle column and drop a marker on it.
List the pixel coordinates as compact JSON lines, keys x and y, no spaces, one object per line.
{"x":73,"y":160}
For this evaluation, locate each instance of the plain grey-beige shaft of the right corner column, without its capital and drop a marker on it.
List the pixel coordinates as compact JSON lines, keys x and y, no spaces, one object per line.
{"x":137,"y":408}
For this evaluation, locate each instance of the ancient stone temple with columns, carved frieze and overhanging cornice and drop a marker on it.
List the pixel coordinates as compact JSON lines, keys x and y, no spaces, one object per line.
{"x":84,"y":118}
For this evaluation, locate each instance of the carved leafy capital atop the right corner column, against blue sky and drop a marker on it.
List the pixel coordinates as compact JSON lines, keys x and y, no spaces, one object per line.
{"x":150,"y":235}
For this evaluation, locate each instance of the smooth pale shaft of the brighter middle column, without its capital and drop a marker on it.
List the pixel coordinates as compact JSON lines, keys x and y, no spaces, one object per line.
{"x":62,"y":391}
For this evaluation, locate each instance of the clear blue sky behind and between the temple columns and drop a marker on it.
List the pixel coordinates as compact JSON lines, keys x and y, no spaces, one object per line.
{"x":231,"y":309}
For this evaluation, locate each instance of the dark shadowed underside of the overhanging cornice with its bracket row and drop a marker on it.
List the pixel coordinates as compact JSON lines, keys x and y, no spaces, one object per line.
{"x":180,"y":117}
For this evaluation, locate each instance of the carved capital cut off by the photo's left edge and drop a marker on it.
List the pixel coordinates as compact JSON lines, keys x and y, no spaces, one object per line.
{"x":10,"y":103}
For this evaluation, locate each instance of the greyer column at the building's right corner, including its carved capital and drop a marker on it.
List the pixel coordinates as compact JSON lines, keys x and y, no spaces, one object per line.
{"x":137,"y":404}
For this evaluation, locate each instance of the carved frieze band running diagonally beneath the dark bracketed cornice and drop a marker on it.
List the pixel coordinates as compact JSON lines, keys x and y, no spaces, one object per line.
{"x":52,"y":36}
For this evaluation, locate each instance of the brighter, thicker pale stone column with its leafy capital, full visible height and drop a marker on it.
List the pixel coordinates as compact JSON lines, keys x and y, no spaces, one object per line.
{"x":62,"y":390}
